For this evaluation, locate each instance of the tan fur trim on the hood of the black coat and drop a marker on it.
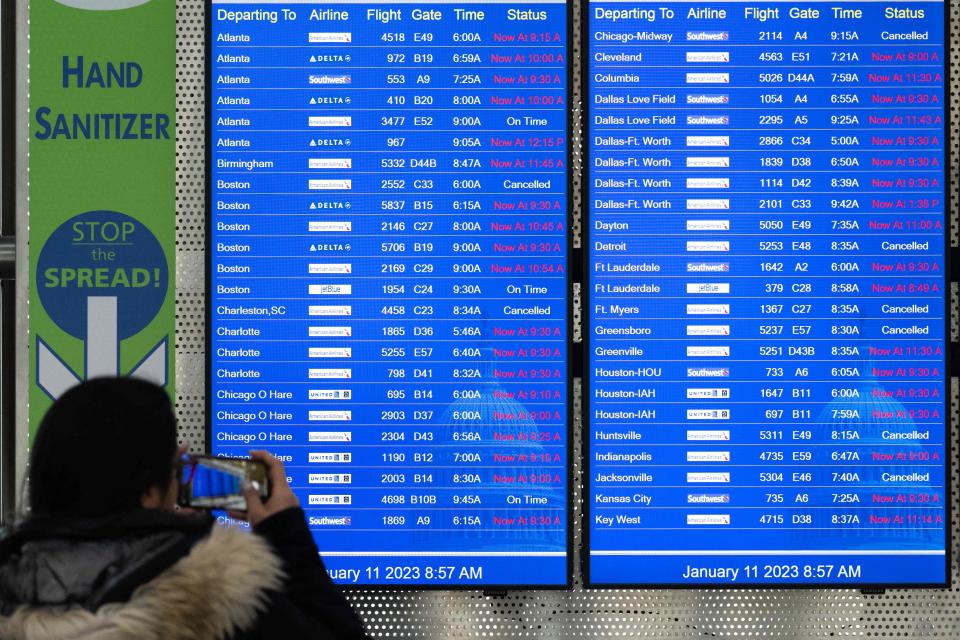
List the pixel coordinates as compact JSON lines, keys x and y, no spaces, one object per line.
{"x":218,"y":589}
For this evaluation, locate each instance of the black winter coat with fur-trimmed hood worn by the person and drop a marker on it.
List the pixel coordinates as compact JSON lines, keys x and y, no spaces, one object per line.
{"x":151,"y":575}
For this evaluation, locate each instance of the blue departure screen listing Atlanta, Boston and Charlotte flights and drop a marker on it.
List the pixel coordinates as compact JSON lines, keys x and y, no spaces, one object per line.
{"x":388,"y":282}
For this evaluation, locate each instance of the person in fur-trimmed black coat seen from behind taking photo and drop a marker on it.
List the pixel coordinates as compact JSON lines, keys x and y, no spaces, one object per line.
{"x":103,"y":554}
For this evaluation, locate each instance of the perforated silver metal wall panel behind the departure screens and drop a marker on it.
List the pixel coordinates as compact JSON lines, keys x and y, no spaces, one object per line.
{"x":579,"y":613}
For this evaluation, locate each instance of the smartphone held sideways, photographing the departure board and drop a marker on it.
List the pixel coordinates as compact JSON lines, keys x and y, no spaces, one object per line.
{"x":206,"y":482}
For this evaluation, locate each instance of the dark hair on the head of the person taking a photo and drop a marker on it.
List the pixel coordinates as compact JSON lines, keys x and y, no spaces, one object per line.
{"x":100,"y":447}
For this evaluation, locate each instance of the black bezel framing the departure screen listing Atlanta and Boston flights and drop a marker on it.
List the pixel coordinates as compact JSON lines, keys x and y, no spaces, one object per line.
{"x":571,"y":347}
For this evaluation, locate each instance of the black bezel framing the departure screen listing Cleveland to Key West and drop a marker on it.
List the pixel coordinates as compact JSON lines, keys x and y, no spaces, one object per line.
{"x":950,"y":351}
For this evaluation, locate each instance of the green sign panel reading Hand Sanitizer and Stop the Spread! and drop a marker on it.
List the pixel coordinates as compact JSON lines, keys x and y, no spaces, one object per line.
{"x":102,"y":200}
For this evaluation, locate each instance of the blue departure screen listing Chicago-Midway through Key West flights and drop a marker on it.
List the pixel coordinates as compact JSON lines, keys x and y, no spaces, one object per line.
{"x":766,"y":383}
